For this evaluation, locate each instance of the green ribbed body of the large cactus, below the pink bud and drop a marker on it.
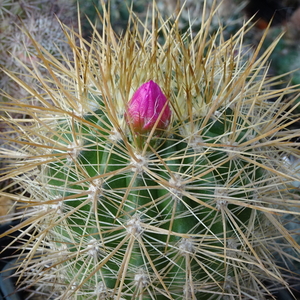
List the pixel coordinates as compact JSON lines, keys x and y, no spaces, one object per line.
{"x":152,"y":210}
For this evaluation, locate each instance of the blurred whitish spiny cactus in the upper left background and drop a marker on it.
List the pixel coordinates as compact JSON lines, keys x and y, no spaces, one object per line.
{"x":38,"y":18}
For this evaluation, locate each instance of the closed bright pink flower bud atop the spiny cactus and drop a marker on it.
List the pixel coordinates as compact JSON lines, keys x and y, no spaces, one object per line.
{"x":146,"y":106}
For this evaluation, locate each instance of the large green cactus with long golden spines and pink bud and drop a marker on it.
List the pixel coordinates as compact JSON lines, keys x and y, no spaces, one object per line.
{"x":157,"y":165}
